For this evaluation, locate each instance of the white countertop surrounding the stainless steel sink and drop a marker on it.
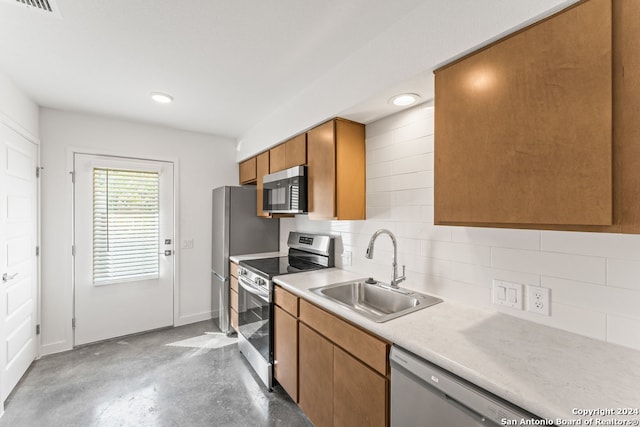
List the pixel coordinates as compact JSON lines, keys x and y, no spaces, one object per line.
{"x":547,"y":371}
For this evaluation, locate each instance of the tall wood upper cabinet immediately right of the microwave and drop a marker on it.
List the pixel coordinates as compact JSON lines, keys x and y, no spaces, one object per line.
{"x":336,"y":170}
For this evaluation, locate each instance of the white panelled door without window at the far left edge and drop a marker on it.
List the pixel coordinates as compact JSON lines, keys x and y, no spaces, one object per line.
{"x":18,"y":263}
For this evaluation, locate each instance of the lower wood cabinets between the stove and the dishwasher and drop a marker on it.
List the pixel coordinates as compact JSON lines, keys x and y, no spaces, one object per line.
{"x":337,"y":372}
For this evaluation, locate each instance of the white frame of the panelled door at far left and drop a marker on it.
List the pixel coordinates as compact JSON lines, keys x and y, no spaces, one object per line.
{"x":16,"y":127}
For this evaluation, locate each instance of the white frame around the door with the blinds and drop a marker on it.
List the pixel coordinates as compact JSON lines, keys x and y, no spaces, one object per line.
{"x":71,"y":152}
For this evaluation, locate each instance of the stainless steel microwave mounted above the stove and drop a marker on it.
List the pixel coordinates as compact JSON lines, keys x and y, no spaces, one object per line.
{"x":285,"y":191}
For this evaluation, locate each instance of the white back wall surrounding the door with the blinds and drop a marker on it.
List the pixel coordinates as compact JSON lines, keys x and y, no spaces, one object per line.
{"x":204,"y":162}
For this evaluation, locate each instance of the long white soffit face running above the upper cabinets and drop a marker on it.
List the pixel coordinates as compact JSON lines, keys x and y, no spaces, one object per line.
{"x":411,"y":46}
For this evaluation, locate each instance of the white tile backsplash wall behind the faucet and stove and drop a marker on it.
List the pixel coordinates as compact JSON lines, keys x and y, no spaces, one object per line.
{"x":594,"y":277}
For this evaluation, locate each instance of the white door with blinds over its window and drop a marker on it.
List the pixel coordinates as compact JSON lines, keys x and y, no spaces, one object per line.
{"x":123,"y":263}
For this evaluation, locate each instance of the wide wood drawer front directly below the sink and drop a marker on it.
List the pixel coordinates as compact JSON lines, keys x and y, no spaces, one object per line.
{"x":371,"y":350}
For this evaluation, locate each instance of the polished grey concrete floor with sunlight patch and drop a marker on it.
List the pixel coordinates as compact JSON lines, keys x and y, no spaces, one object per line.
{"x":140,"y":381}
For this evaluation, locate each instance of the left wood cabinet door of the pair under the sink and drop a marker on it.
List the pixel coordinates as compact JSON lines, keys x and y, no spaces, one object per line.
{"x":316,"y":376}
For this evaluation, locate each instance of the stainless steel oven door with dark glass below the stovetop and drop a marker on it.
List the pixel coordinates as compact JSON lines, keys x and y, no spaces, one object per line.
{"x":254,"y":322}
